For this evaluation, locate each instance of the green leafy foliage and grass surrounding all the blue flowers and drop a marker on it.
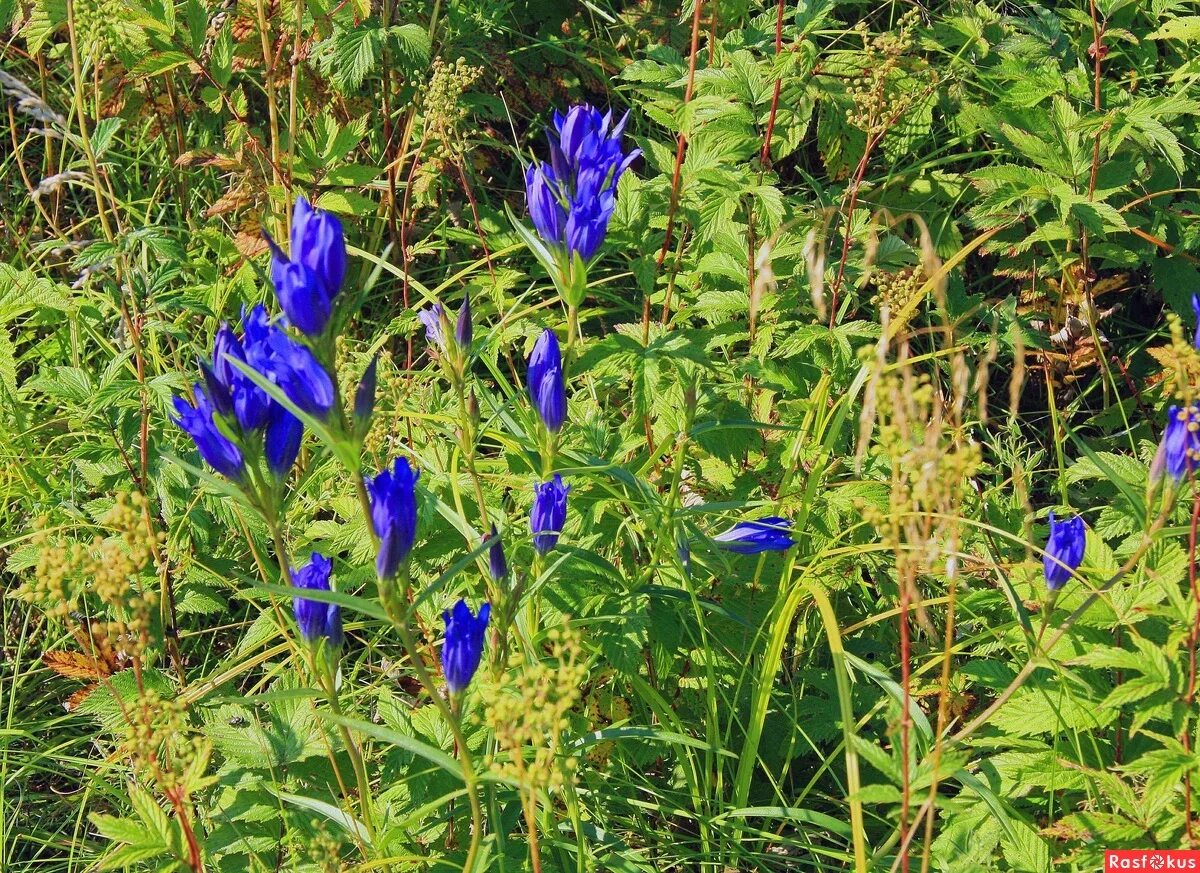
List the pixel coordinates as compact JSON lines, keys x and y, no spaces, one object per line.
{"x":904,"y":279}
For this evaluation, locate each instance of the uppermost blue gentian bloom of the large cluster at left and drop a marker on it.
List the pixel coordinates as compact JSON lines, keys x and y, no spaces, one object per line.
{"x":308,"y":284}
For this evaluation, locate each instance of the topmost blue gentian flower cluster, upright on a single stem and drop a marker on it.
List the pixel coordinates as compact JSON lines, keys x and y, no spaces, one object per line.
{"x":573,"y":198}
